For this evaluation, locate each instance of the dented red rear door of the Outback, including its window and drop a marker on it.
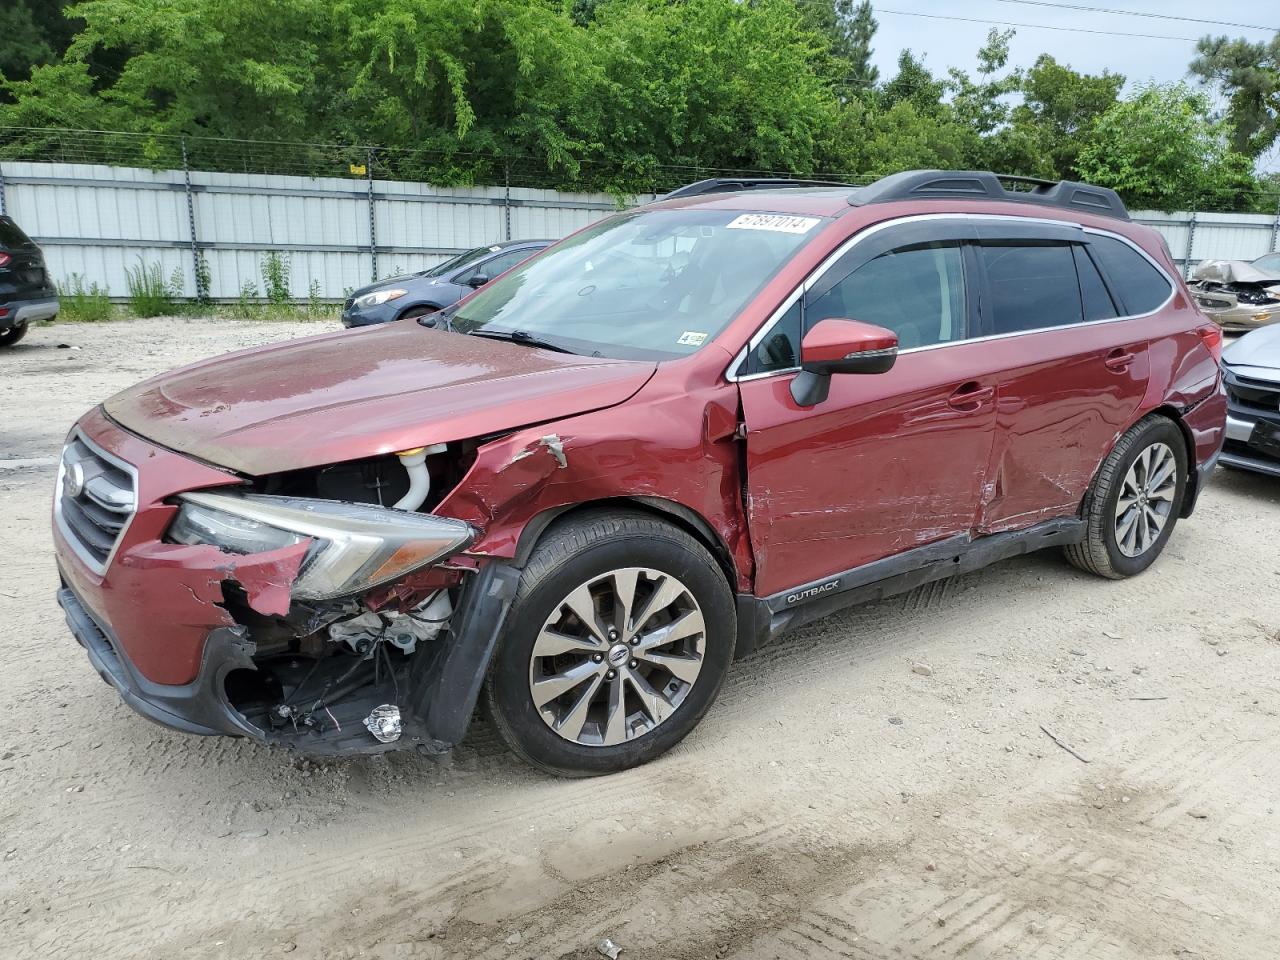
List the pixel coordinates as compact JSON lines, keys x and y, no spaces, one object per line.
{"x":1073,"y":377}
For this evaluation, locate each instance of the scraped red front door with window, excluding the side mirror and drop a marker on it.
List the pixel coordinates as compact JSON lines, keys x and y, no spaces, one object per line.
{"x":889,"y":461}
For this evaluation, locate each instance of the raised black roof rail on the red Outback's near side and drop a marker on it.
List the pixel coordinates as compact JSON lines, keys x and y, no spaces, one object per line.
{"x":981,"y":185}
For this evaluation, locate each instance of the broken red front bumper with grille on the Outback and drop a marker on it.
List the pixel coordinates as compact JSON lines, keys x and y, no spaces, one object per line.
{"x":157,"y":623}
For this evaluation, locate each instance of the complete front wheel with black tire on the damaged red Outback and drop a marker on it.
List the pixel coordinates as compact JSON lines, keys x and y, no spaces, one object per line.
{"x":618,"y":643}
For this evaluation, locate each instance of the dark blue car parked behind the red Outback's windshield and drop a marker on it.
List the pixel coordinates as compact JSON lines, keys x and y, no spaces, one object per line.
{"x":442,"y":286}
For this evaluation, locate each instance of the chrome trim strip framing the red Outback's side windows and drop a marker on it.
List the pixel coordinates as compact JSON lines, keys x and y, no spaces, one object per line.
{"x":732,"y":374}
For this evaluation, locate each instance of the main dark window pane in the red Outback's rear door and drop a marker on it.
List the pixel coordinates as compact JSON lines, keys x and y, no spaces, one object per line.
{"x":1034,"y":286}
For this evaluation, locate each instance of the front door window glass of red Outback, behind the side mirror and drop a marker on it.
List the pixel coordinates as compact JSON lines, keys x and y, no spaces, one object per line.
{"x":917,"y":292}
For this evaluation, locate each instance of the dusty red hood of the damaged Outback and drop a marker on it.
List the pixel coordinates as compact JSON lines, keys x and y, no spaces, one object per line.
{"x":358,"y":394}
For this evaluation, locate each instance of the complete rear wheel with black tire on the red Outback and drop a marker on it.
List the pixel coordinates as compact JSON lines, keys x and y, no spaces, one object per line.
{"x":1133,"y":505}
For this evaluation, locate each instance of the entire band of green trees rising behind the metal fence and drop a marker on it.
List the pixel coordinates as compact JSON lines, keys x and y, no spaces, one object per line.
{"x":618,"y":95}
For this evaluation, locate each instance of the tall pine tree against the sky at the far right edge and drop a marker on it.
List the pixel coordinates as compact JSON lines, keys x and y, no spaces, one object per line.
{"x":1249,"y":76}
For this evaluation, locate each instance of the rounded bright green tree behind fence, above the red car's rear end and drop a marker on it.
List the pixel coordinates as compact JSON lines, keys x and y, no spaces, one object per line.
{"x":1162,"y":149}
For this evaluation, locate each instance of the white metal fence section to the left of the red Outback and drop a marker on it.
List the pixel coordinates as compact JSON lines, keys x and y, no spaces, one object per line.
{"x":98,"y":222}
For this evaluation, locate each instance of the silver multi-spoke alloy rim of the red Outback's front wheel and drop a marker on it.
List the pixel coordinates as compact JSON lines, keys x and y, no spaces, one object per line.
{"x":618,"y":657}
